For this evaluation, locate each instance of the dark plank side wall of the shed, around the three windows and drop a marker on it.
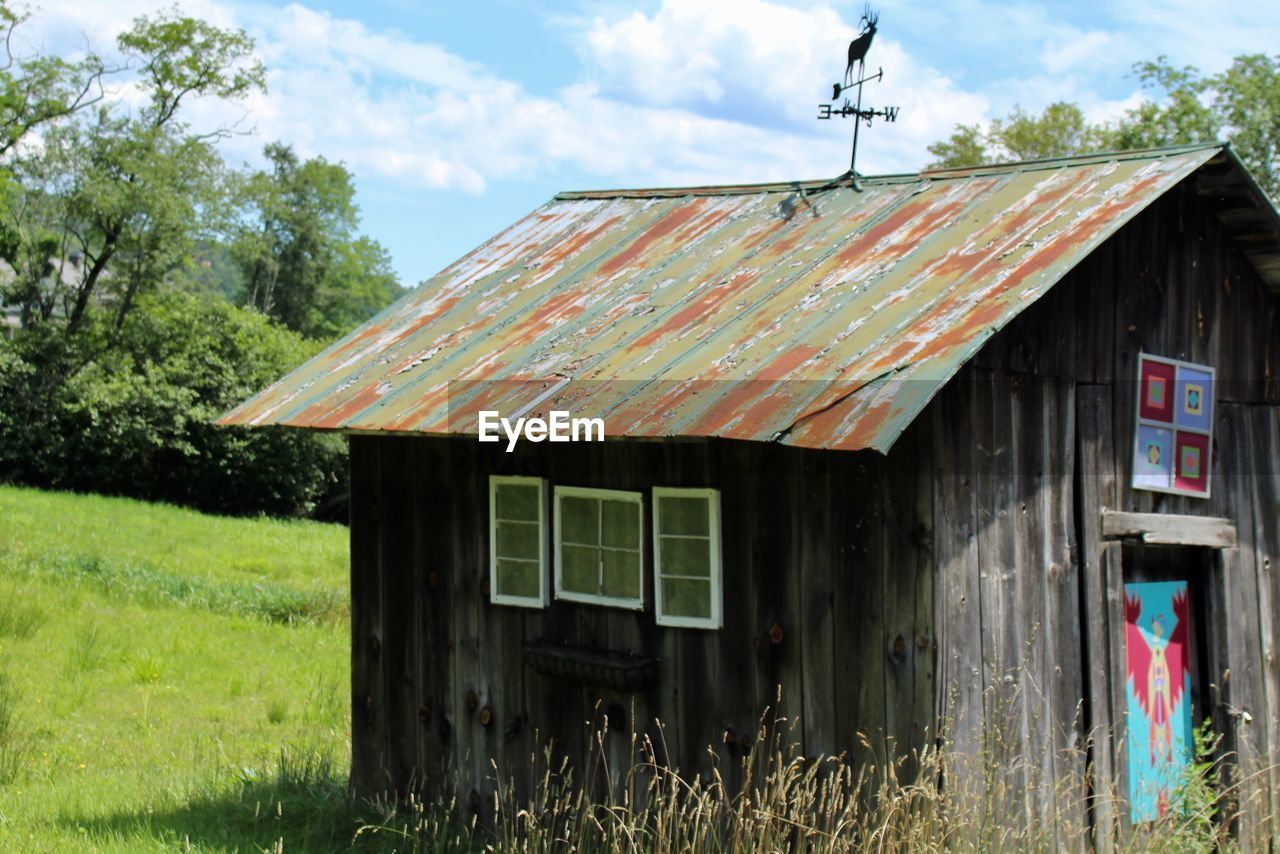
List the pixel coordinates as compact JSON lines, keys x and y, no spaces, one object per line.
{"x":829,"y":600}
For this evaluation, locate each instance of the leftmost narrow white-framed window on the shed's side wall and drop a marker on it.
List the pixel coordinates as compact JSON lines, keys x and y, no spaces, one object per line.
{"x":518,"y":541}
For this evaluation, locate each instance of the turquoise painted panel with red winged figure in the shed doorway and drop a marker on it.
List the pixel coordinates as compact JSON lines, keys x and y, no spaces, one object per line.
{"x":1158,"y":689}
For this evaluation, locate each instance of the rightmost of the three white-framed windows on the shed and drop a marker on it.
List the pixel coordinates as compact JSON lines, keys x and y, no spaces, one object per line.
{"x":687,"y":559}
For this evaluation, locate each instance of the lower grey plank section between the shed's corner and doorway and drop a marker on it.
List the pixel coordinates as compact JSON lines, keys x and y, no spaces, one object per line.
{"x":1008,"y":583}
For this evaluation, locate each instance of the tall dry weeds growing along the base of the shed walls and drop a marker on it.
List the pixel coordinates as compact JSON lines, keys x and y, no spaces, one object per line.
{"x":775,"y":798}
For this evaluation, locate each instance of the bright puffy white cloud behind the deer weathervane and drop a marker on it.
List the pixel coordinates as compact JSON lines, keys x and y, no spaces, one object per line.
{"x":767,"y":66}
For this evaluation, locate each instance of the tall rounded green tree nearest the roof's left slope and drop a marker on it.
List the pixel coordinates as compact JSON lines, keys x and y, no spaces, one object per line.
{"x":299,"y":253}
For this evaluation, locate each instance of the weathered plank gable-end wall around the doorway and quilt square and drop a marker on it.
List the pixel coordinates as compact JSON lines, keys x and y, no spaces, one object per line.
{"x":1168,"y":284}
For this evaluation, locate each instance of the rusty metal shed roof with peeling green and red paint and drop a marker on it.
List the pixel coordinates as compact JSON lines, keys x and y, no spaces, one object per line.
{"x":813,"y":314}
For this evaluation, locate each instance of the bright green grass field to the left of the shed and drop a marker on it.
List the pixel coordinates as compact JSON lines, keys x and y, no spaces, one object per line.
{"x":171,"y":681}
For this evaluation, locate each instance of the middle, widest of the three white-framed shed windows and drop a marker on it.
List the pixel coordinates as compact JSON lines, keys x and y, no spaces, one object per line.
{"x":600,"y":547}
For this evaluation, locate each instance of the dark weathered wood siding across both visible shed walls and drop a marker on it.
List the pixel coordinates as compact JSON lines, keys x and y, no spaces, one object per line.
{"x":963,"y":579}
